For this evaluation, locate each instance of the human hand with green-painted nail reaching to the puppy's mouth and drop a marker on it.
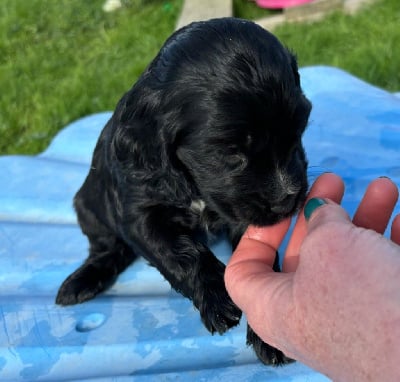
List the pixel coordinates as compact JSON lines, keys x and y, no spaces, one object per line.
{"x":336,"y":305}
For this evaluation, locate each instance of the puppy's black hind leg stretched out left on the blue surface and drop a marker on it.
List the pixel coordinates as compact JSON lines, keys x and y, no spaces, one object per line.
{"x":108,"y":257}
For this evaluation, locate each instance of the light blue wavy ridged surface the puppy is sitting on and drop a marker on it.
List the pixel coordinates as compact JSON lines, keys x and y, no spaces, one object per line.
{"x":141,"y":330}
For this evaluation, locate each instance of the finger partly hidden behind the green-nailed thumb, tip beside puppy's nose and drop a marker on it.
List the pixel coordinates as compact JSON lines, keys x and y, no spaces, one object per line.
{"x":328,"y":186}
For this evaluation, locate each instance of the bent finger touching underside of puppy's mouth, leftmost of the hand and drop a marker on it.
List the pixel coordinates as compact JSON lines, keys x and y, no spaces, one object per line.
{"x":252,"y":261}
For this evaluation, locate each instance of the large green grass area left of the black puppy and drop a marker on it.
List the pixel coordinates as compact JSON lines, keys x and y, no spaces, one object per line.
{"x":61,"y":60}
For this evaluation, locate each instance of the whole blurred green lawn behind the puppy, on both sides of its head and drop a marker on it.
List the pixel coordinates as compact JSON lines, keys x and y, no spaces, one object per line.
{"x":62,"y":60}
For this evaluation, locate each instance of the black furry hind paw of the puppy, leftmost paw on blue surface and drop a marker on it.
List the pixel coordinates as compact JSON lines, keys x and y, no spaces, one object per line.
{"x":82,"y":285}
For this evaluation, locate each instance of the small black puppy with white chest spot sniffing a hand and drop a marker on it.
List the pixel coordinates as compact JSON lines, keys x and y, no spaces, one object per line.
{"x":207,"y":140}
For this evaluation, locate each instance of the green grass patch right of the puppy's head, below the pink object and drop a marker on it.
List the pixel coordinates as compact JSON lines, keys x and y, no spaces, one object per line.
{"x":367,"y":44}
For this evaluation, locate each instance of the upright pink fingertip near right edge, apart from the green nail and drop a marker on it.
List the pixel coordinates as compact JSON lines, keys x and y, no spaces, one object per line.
{"x":377,"y":205}
